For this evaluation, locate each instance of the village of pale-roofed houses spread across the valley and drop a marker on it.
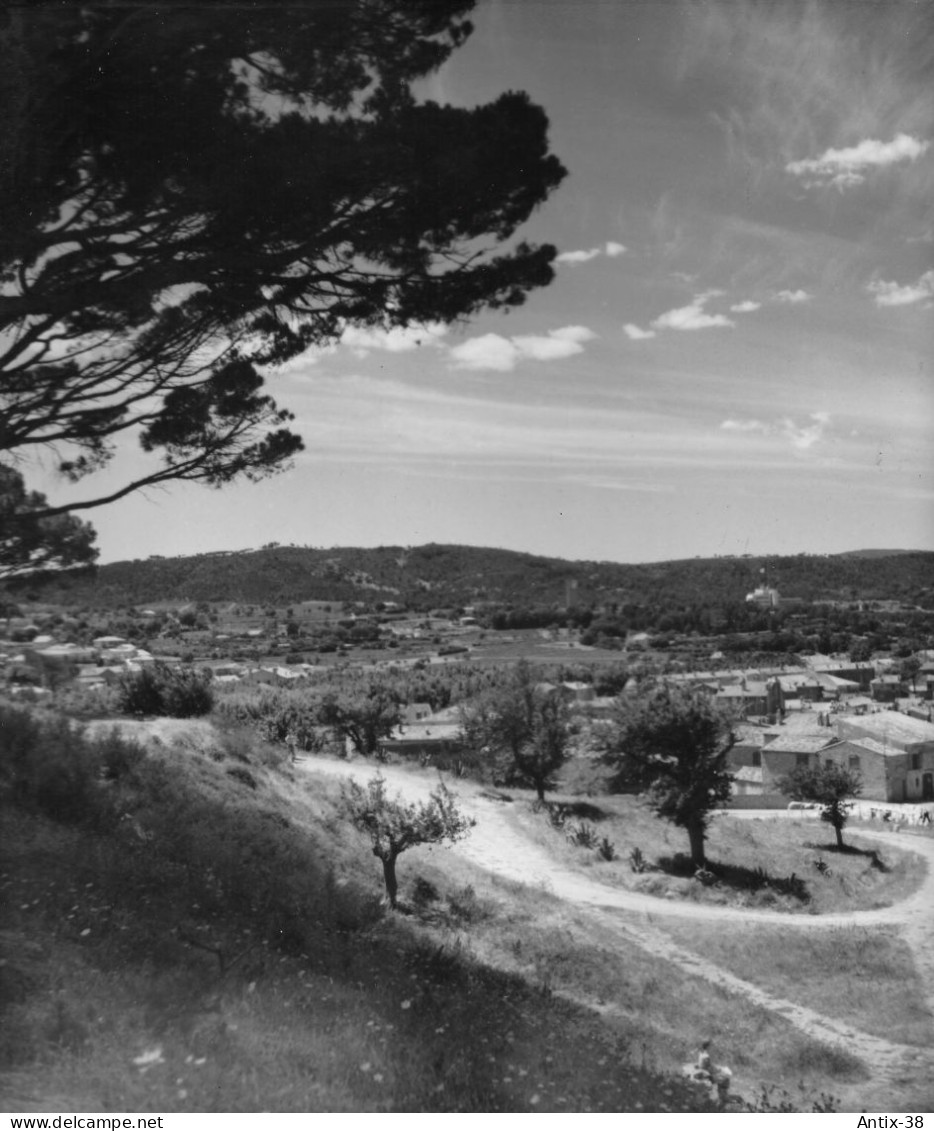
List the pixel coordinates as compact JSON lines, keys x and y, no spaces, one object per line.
{"x":875,"y":718}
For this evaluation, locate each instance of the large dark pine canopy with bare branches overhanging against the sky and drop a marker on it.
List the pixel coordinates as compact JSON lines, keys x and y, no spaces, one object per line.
{"x":192,"y":194}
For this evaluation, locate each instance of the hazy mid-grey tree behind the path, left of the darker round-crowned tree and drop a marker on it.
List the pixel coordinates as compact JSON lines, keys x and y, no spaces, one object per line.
{"x":529,"y":722}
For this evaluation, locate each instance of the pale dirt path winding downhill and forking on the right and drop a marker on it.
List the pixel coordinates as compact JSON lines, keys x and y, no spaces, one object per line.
{"x":498,"y":848}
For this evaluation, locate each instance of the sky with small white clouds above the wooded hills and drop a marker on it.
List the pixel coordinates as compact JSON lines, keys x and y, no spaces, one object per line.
{"x":736,"y":356}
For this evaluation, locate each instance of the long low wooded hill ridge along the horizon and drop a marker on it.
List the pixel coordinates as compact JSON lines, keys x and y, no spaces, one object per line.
{"x":436,"y":576}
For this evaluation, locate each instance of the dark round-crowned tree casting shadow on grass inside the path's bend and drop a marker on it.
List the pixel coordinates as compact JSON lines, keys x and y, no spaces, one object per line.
{"x":673,"y":745}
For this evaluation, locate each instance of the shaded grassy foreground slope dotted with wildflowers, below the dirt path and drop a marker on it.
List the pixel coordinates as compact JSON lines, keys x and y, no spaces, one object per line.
{"x":197,"y":928}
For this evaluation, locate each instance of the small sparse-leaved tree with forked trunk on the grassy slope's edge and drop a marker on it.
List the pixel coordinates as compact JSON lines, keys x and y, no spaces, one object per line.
{"x":395,"y":826}
